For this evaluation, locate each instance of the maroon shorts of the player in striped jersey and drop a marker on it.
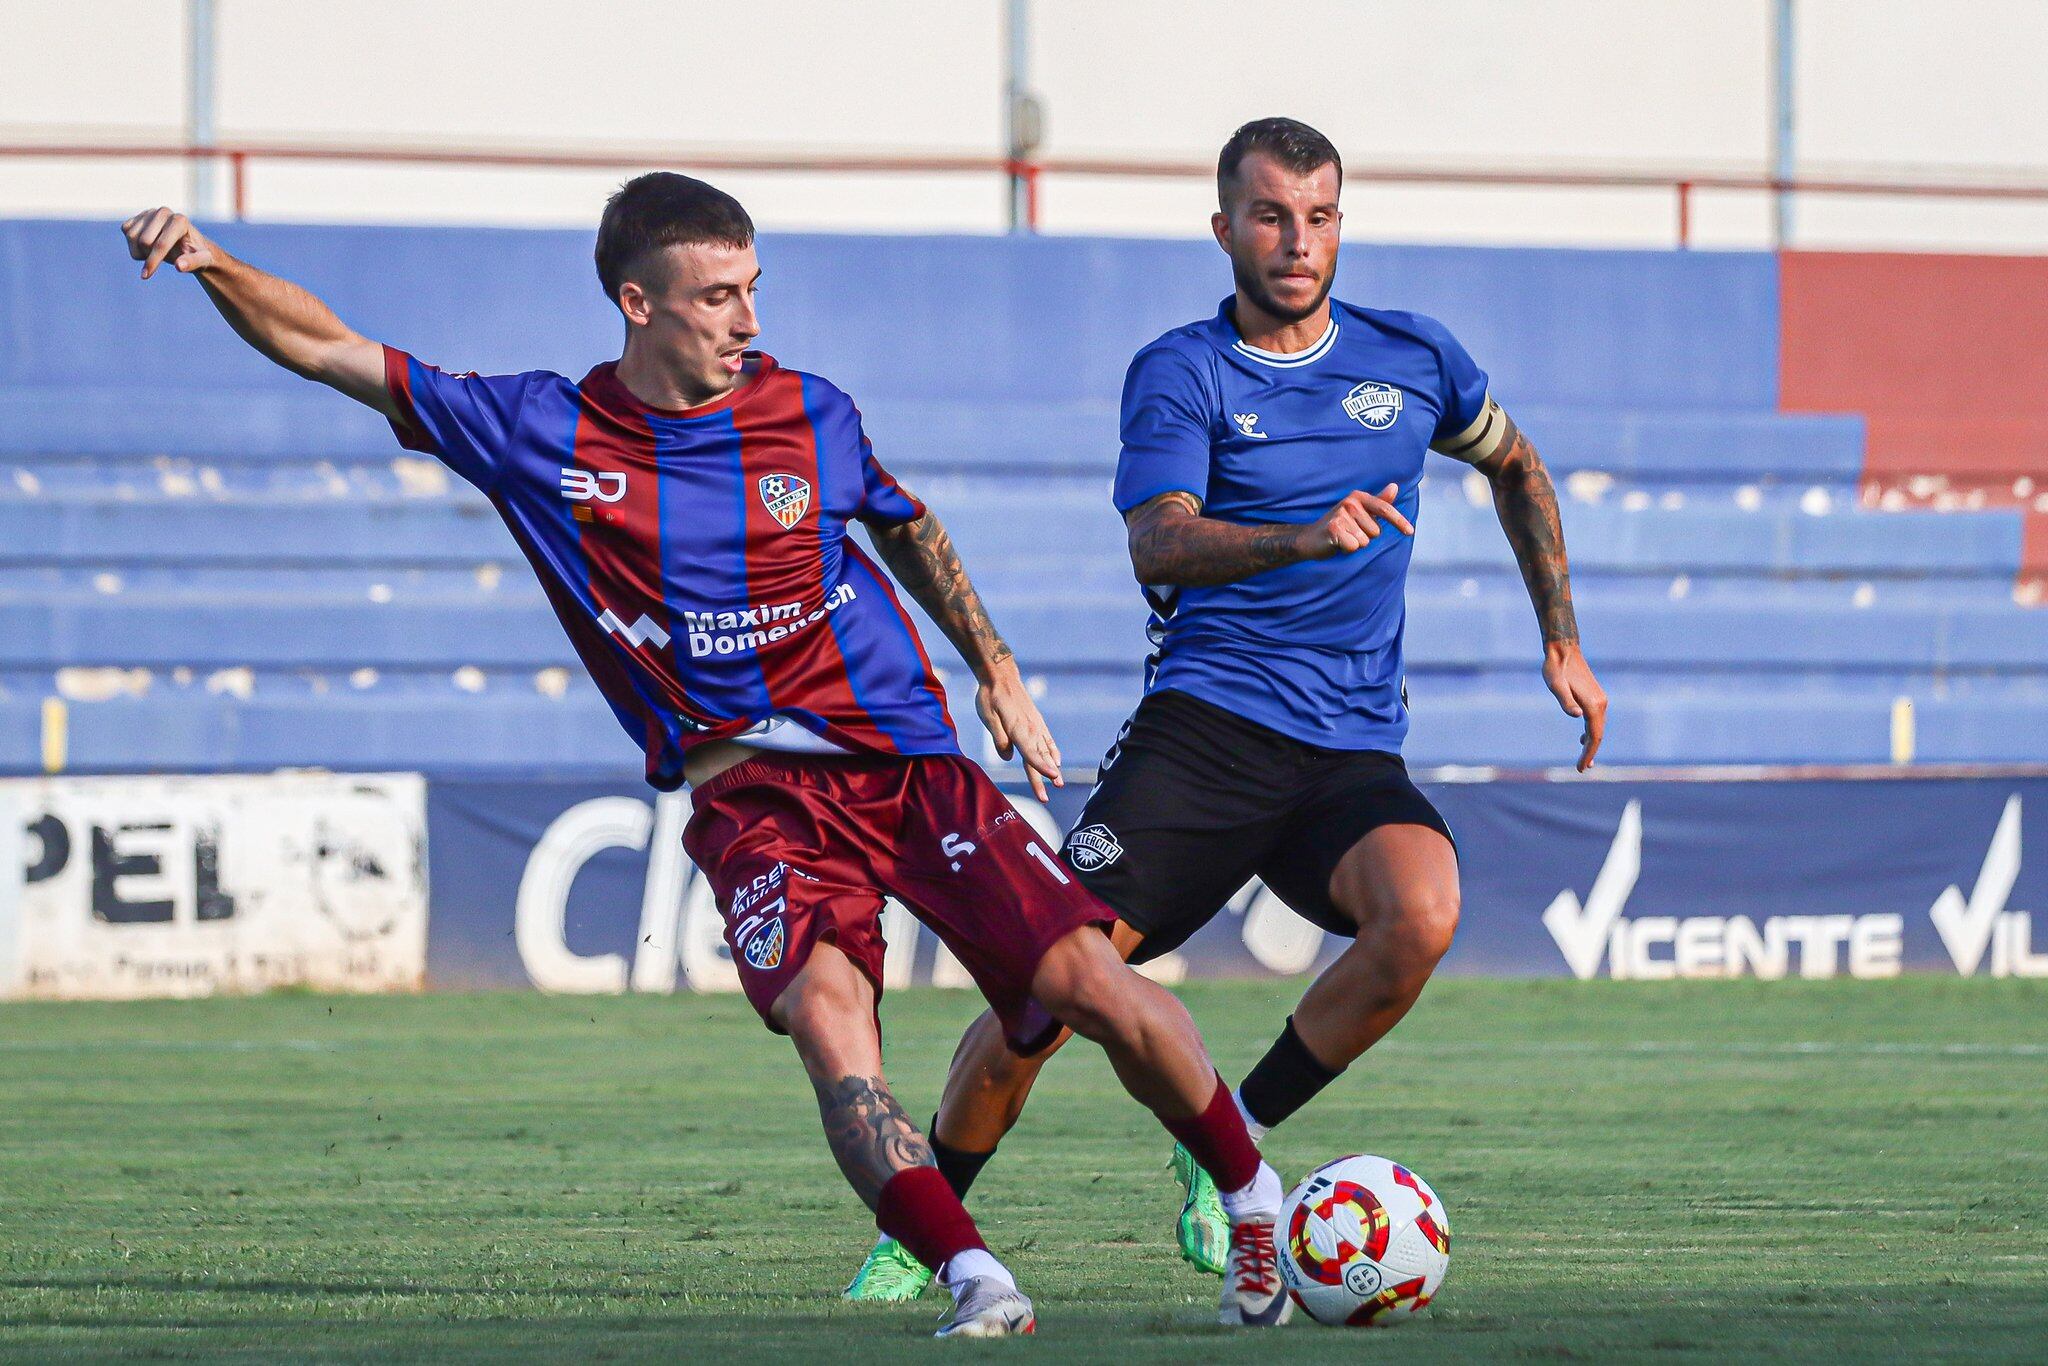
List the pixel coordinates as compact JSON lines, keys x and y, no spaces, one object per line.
{"x":804,"y":849}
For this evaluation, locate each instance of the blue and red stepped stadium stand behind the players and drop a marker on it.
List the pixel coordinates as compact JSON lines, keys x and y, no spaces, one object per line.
{"x":218,"y":566}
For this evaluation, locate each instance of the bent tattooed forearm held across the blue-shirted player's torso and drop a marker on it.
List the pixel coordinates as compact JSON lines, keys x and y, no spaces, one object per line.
{"x":1175,"y":546}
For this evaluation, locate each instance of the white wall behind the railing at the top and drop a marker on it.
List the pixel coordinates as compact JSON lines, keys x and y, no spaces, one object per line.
{"x":1887,"y":87}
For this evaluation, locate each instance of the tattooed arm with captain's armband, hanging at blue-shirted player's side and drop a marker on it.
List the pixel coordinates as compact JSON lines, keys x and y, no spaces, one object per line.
{"x":1527,"y":505}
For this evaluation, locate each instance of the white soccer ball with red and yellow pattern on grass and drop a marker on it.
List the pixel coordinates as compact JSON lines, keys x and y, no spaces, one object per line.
{"x":1365,"y":1242}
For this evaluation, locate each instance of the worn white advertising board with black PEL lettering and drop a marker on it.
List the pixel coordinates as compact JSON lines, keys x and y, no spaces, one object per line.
{"x":198,"y":886}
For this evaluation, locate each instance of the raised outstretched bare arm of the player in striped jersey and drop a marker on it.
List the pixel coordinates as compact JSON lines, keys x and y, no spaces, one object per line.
{"x":275,"y":316}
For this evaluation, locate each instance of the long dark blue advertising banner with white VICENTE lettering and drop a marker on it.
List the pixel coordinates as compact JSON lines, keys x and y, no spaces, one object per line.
{"x":585,"y":886}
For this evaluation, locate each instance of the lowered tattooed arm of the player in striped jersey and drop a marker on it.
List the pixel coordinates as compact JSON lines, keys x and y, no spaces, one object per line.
{"x":923,"y":560}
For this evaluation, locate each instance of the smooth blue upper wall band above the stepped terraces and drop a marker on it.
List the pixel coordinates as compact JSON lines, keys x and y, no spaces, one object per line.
{"x":91,"y":359}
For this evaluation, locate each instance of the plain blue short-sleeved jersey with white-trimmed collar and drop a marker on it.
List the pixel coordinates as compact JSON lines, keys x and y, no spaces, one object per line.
{"x":1312,"y":650}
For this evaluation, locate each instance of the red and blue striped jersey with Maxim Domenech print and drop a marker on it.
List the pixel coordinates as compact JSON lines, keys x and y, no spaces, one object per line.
{"x":699,"y":558}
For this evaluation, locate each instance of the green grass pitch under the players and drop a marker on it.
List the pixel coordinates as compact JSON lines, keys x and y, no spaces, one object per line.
{"x":1822,"y":1170}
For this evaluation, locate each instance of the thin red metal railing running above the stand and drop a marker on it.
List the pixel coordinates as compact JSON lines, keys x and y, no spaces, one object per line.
{"x":1027,"y":173}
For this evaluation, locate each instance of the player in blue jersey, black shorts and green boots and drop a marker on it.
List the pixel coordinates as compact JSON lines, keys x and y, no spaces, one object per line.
{"x":1269,"y":480}
